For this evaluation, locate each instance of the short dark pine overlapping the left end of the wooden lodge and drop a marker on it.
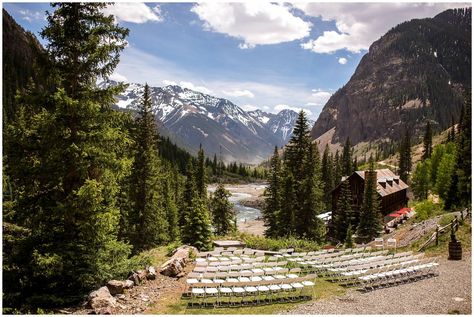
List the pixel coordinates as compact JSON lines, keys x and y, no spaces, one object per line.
{"x":343,"y":213}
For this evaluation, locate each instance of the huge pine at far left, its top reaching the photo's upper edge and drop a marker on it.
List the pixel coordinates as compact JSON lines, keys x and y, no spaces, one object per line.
{"x":68,"y":152}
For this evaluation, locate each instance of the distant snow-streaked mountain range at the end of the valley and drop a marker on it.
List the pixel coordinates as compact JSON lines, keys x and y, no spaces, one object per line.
{"x":192,"y":118}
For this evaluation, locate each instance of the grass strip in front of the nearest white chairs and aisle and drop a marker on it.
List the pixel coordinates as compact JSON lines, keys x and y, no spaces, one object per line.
{"x":322,"y":289}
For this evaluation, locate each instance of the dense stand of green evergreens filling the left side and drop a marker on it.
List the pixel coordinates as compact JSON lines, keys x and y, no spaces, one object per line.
{"x":87,"y":188}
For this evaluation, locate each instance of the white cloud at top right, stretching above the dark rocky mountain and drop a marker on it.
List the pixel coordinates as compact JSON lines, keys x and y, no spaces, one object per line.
{"x":360,"y":24}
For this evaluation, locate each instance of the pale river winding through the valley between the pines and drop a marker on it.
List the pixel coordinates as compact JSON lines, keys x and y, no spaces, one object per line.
{"x":243,"y":192}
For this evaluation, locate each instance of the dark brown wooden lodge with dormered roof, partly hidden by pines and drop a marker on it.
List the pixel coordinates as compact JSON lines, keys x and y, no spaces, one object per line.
{"x":391,"y":189}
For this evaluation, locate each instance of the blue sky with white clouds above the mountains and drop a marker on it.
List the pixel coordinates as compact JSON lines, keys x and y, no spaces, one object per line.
{"x":260,"y":55}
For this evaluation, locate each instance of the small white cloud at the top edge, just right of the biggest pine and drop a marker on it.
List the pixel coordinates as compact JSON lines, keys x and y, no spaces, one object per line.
{"x":134,"y":12}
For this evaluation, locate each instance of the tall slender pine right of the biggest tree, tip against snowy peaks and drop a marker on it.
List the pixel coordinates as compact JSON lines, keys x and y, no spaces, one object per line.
{"x":147,"y":216}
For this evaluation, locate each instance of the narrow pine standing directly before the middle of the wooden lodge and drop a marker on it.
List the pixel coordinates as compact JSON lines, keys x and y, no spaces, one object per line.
{"x":370,"y":222}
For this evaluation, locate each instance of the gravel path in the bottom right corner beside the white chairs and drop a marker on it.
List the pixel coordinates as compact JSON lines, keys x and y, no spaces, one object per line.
{"x":448,"y":293}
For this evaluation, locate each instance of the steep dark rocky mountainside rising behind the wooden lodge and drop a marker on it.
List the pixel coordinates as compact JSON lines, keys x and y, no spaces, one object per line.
{"x":418,"y":71}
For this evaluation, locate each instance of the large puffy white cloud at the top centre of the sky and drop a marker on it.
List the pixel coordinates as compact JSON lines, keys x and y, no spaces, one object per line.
{"x":256,"y":23}
